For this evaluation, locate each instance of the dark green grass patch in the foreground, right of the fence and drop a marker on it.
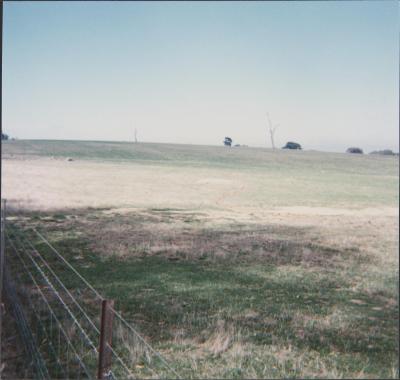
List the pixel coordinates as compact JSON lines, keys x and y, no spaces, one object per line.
{"x":162,"y":296}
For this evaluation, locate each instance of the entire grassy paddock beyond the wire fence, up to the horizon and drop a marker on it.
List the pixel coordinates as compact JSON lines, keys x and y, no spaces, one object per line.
{"x":238,"y":262}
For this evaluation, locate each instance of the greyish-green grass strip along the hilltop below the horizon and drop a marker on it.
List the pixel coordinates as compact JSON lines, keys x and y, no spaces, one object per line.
{"x":203,"y":155}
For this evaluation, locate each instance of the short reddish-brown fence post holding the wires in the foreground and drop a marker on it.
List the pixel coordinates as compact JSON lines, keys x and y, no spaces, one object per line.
{"x":105,"y":355}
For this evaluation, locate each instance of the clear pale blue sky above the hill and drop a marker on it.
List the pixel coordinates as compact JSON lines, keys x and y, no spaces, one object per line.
{"x":195,"y":72}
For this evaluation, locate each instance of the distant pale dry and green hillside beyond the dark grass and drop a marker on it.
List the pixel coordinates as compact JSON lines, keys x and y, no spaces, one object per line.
{"x":162,"y":175}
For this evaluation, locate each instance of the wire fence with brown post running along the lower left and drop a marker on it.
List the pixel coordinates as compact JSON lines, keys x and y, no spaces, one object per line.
{"x":68,"y":328}
